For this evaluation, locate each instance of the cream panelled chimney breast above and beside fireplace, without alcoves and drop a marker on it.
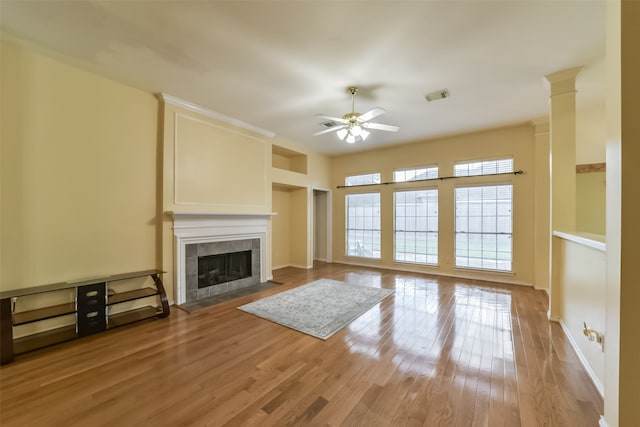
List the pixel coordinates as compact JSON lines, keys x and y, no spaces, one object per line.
{"x":209,"y":166}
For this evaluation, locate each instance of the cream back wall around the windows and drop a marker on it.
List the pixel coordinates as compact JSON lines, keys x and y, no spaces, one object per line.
{"x":516,"y":141}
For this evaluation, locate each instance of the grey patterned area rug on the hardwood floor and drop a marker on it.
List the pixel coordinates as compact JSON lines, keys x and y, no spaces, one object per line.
{"x":319,"y":308}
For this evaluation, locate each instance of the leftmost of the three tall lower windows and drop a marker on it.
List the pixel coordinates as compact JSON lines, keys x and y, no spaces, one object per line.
{"x":363,"y":225}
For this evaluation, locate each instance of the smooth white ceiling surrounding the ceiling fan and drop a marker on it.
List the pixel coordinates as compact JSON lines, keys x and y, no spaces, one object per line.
{"x":275,"y":65}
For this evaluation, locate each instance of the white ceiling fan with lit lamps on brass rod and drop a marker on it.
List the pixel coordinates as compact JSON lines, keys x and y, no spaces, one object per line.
{"x":353,"y":126}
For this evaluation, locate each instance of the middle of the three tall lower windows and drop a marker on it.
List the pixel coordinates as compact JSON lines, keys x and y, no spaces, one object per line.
{"x":416,"y":226}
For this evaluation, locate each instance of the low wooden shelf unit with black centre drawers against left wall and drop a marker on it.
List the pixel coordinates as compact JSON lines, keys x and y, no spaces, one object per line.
{"x":91,"y":308}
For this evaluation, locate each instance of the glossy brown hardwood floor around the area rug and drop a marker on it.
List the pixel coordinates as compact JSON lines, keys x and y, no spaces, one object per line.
{"x":439,"y":352}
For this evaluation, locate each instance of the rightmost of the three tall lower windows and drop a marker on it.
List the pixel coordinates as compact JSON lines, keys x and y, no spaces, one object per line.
{"x":483,"y":227}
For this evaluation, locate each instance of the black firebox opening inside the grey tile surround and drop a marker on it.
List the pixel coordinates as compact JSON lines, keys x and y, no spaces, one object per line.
{"x":223,"y":268}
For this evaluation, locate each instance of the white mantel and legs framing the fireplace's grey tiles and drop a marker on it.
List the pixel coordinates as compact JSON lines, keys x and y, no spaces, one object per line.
{"x":207,"y":227}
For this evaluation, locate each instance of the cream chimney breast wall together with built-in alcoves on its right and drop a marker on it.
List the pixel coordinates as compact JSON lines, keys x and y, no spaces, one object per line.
{"x":212,"y":166}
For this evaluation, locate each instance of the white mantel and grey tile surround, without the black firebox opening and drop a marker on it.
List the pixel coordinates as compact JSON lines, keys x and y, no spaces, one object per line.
{"x":200,"y":234}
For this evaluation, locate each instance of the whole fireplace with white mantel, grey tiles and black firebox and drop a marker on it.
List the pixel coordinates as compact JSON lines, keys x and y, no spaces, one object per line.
{"x":207,"y":253}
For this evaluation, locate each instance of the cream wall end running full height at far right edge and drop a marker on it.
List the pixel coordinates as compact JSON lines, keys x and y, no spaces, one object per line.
{"x":622,"y":371}
